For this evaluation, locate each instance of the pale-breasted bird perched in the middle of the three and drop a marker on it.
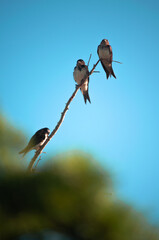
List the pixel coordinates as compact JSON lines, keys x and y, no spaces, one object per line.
{"x":80,"y":72}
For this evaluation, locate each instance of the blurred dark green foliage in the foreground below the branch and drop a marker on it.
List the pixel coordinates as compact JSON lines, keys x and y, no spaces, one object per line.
{"x":72,"y":195}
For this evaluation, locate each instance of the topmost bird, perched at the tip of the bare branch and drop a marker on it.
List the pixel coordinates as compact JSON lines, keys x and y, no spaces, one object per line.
{"x":105,"y":54}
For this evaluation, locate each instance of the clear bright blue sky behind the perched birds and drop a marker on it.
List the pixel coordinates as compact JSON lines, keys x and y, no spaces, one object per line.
{"x":40,"y":42}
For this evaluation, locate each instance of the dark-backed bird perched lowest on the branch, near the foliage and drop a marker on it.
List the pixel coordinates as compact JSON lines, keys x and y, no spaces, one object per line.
{"x":36,"y":141}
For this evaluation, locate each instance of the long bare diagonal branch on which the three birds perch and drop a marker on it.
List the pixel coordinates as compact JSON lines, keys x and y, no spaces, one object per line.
{"x":32,"y":162}
